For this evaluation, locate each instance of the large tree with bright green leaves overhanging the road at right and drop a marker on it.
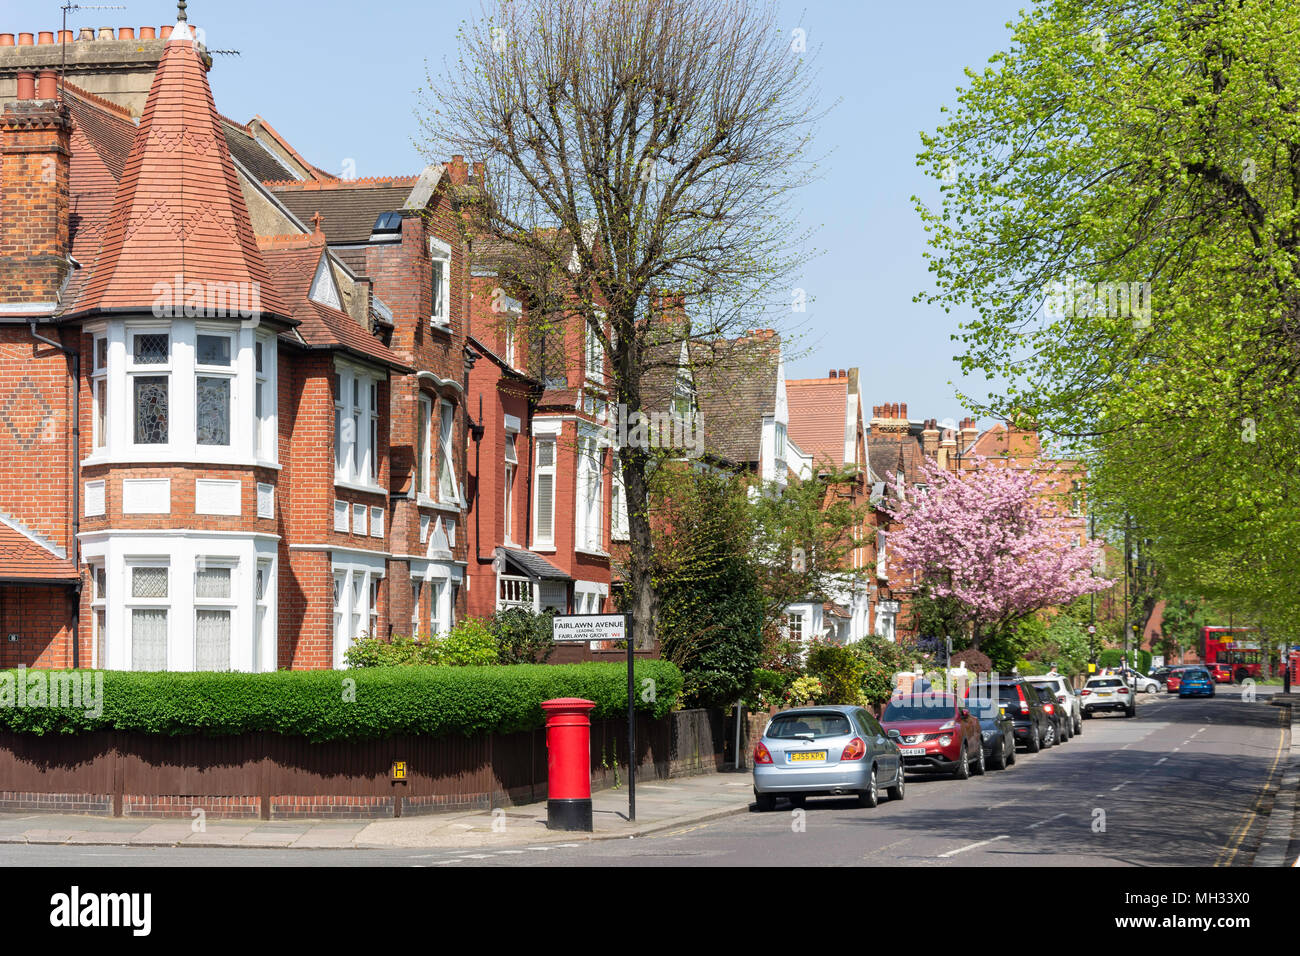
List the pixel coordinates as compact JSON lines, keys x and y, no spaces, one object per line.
{"x":1117,"y":211}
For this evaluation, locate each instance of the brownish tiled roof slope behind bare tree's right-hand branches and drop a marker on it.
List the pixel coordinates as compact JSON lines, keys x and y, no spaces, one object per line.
{"x":736,"y":387}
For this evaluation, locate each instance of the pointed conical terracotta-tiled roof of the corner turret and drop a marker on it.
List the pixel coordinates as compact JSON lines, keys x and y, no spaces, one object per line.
{"x":179,"y":206}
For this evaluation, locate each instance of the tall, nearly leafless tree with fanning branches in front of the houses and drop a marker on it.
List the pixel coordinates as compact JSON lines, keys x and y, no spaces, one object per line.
{"x":632,"y":148}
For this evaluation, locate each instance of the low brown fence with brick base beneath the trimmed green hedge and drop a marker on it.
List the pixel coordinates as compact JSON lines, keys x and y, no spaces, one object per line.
{"x":274,"y":777}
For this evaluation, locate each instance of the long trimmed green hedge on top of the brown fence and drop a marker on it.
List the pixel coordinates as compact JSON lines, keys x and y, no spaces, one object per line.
{"x":356,"y":704}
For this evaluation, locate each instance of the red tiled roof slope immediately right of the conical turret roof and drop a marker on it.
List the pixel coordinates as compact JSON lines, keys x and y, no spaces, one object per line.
{"x":292,"y":263}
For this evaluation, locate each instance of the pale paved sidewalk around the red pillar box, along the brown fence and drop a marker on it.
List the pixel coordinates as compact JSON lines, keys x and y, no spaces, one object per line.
{"x":661,"y":806}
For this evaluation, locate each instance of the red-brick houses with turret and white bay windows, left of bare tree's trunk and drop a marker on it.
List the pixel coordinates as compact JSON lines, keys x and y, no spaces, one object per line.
{"x":252,"y":410}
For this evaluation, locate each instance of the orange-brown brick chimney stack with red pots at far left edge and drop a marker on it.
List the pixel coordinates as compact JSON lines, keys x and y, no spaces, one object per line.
{"x":34,"y":231}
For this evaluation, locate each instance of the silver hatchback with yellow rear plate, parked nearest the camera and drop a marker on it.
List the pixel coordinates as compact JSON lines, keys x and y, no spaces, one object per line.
{"x":826,"y":751}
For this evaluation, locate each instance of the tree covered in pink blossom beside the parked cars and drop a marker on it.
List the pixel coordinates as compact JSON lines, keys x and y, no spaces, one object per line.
{"x":995,"y":539}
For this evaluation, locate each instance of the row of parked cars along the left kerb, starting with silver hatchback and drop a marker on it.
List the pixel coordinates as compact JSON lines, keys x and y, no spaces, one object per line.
{"x":846,"y":751}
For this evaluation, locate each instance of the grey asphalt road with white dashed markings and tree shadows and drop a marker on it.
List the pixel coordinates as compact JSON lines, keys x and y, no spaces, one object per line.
{"x":1184,"y":784}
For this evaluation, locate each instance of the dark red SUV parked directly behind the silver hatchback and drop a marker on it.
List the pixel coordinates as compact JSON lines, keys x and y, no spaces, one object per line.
{"x":935,"y":732}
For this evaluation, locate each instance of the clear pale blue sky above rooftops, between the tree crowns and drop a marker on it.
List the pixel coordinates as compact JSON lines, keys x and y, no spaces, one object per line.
{"x":341,"y":80}
